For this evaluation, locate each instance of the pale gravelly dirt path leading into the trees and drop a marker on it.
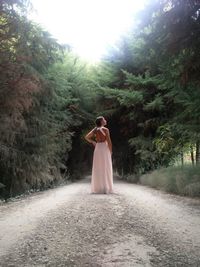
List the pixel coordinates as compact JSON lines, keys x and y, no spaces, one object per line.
{"x":68,"y":226}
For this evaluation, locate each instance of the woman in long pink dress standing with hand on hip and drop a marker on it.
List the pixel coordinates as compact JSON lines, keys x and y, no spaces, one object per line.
{"x":102,"y":173}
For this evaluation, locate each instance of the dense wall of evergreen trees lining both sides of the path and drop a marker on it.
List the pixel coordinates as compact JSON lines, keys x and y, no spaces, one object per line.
{"x":147,"y":88}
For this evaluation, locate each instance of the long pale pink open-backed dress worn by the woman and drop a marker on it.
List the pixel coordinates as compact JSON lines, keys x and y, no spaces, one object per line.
{"x":102,"y":172}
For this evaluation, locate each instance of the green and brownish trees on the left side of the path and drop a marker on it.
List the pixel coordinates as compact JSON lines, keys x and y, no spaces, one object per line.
{"x":40,"y":91}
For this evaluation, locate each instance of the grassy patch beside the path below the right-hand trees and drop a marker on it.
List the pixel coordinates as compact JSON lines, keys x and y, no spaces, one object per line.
{"x":179,"y":180}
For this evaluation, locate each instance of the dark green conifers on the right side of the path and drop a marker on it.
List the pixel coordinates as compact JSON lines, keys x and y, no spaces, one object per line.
{"x":153,"y":94}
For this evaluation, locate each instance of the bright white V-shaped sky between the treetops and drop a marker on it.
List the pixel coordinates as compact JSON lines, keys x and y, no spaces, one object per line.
{"x":89,"y":26}
